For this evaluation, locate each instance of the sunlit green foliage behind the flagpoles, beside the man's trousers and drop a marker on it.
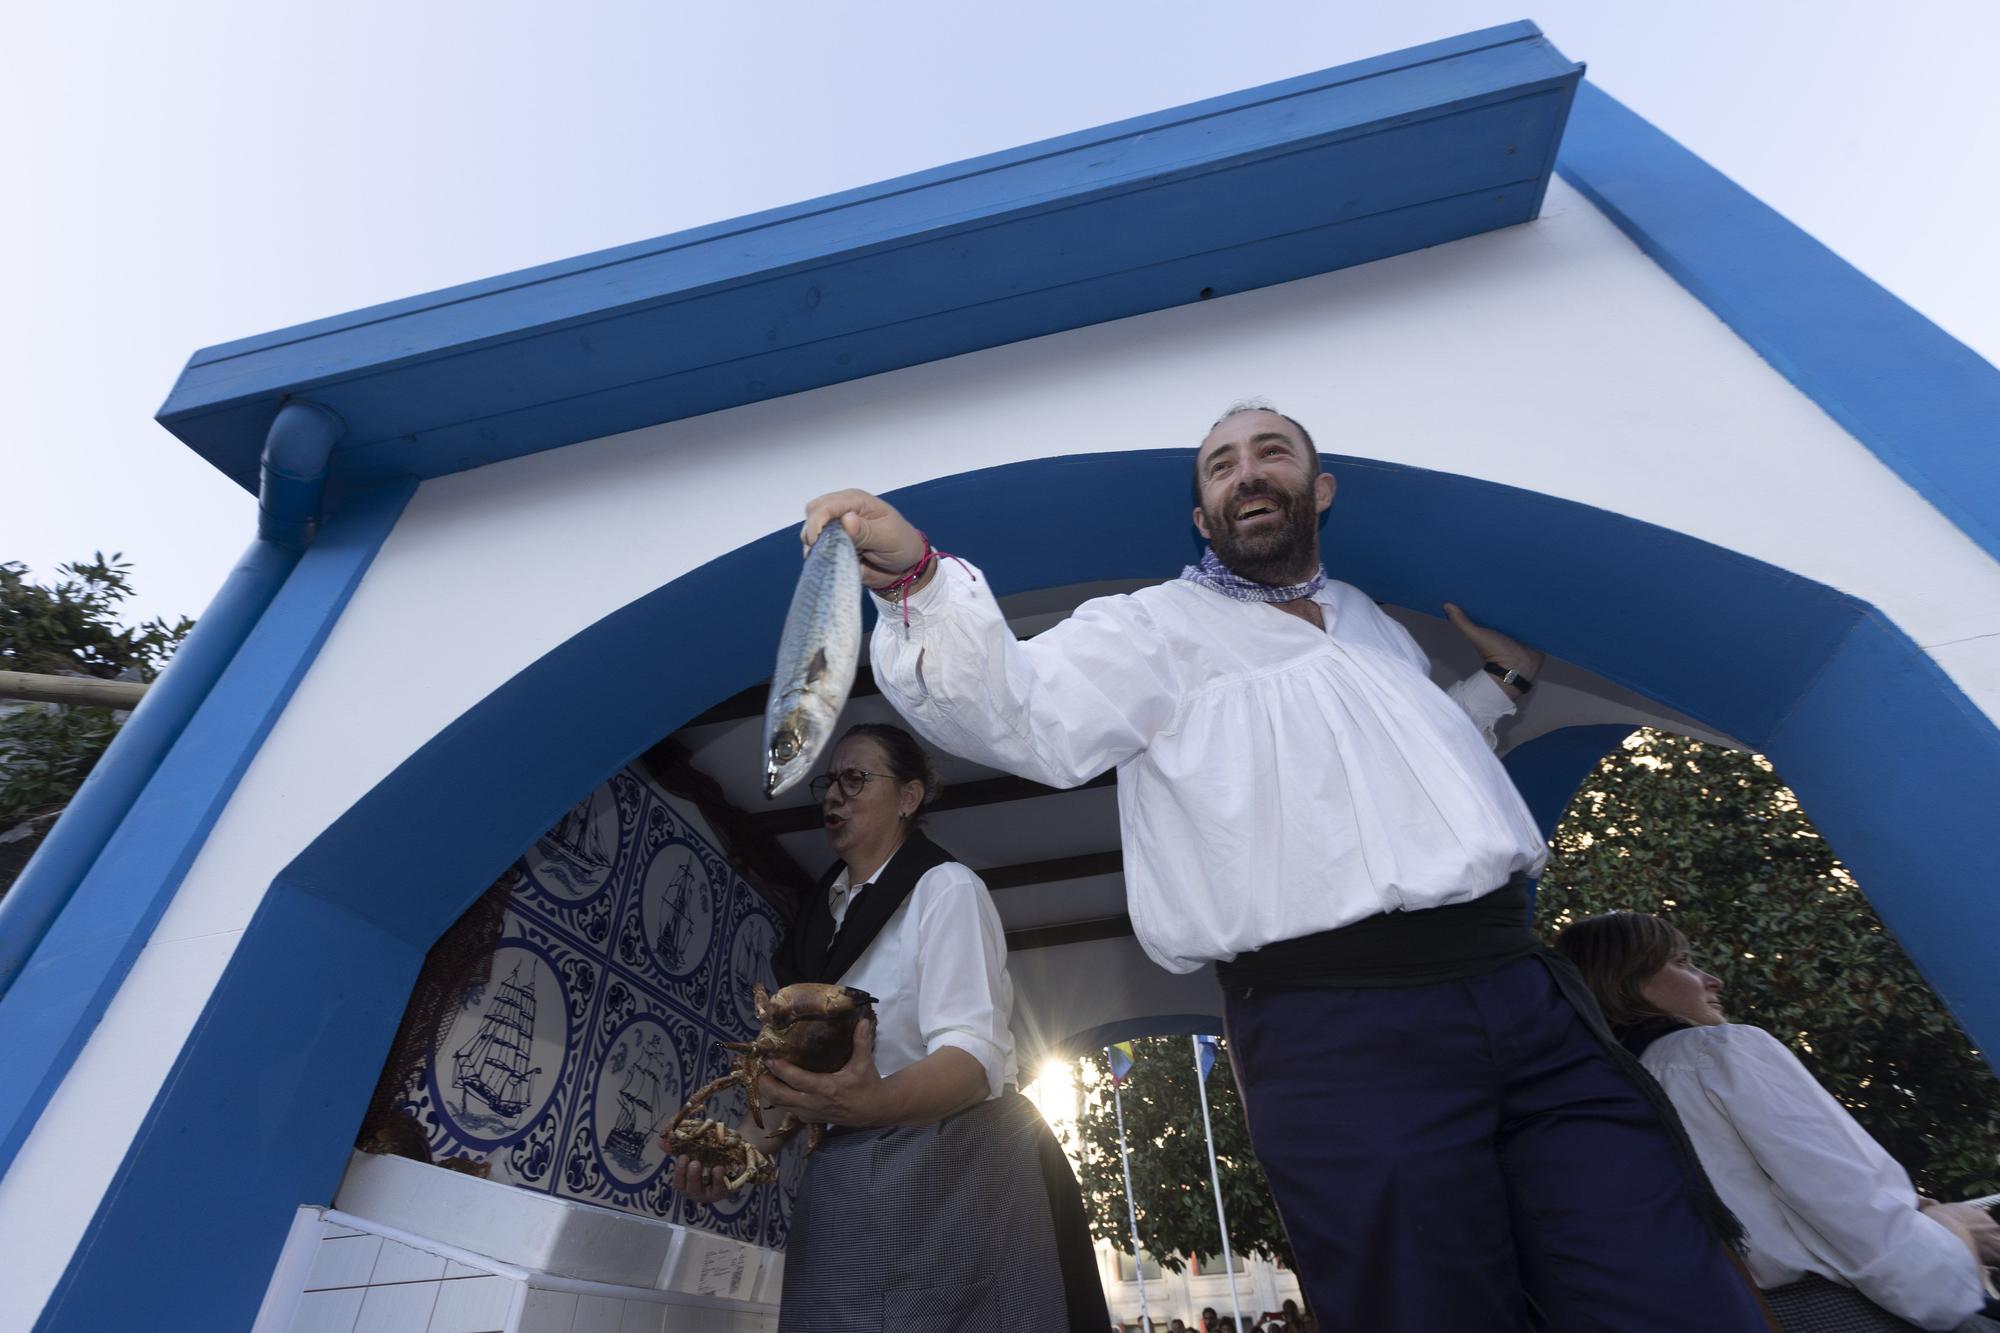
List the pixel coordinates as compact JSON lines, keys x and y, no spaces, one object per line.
{"x":1177,"y":1204}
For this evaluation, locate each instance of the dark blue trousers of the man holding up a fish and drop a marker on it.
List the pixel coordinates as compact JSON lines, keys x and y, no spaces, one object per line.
{"x":1445,"y":1154}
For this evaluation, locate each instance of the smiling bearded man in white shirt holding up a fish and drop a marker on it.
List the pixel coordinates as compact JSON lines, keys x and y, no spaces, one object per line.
{"x":1449,"y":1132}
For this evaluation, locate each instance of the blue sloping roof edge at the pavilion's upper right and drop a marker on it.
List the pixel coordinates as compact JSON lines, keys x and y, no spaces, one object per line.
{"x":1921,"y":401}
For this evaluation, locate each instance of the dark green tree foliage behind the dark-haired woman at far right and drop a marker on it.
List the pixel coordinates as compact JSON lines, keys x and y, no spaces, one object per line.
{"x":1717,"y":844}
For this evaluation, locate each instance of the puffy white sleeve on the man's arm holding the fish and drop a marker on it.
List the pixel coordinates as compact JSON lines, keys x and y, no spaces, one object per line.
{"x":1061,"y":710}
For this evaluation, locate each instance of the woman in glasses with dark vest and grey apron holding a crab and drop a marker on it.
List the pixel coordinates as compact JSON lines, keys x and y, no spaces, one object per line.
{"x":939,"y":1194}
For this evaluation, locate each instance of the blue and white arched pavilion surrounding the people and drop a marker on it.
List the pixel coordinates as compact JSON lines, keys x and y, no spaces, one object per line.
{"x":521,"y":535}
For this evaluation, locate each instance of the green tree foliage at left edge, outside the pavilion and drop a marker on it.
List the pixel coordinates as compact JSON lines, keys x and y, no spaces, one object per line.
{"x":71,"y":629}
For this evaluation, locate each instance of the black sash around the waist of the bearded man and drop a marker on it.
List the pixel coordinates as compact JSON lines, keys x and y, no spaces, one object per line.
{"x":1397,"y":950}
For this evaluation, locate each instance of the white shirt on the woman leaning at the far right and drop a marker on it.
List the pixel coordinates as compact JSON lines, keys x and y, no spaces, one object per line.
{"x":1813,"y":1190}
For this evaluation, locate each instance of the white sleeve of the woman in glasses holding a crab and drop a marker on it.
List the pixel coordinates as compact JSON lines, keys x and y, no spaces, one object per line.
{"x":963,"y":994}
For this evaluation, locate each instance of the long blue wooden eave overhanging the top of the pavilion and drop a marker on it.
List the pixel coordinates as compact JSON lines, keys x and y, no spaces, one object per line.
{"x":1347,"y":165}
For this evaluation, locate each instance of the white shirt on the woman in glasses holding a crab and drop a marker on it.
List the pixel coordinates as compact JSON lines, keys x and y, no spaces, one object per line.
{"x":939,"y":976}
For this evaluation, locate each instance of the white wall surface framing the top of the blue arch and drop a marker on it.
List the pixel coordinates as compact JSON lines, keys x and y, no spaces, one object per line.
{"x":1551,"y":357}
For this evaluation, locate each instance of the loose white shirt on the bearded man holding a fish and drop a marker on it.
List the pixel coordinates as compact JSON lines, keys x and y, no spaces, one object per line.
{"x":1273,"y":780}
